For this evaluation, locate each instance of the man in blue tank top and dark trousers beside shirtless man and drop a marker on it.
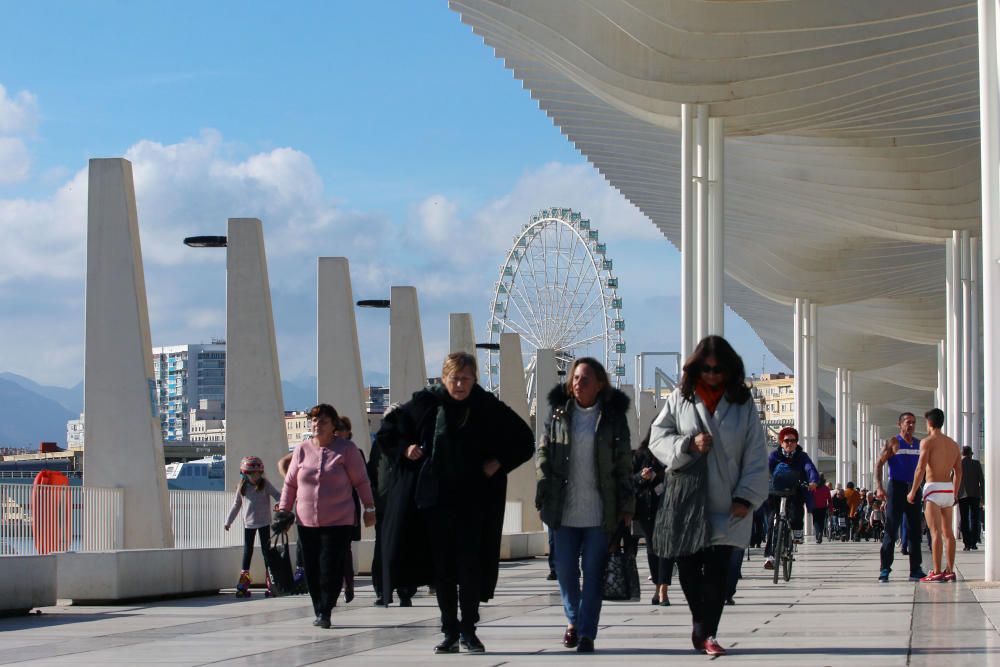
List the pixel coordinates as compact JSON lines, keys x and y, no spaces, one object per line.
{"x":901,"y":452}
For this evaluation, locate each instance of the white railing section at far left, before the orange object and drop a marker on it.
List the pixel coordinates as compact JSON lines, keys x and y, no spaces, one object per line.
{"x":40,"y":519}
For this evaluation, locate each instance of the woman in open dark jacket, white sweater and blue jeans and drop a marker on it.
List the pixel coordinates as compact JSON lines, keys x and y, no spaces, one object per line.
{"x":584,"y":489}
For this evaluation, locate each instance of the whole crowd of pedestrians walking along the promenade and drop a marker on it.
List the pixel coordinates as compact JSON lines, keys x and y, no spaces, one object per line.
{"x":700,"y":489}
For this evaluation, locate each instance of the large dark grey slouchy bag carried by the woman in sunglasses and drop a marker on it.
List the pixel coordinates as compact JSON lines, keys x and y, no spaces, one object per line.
{"x":682,"y":522}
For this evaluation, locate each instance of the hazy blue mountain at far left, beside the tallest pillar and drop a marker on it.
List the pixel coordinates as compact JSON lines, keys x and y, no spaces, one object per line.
{"x":27,"y":418}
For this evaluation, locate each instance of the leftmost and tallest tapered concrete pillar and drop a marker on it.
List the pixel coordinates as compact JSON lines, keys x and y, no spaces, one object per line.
{"x":122,"y":428}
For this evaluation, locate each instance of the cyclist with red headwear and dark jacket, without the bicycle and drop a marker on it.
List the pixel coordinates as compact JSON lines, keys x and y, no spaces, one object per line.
{"x":790,"y":466}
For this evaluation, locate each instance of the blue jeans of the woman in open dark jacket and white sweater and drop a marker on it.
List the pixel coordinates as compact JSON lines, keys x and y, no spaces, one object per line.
{"x":582,"y":607}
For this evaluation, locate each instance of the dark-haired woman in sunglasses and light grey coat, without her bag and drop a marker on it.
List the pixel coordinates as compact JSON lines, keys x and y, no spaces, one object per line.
{"x":711,"y":415}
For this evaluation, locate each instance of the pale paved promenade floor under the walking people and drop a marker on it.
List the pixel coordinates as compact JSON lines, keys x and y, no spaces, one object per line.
{"x":832,"y":613}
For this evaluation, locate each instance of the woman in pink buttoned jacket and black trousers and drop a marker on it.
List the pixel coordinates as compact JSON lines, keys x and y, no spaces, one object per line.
{"x":323,"y":472}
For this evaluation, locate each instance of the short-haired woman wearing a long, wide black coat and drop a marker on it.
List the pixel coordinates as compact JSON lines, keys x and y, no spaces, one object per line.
{"x":452,"y":447}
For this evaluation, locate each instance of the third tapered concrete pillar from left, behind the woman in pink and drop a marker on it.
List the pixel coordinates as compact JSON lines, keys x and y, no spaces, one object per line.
{"x":339,"y":379}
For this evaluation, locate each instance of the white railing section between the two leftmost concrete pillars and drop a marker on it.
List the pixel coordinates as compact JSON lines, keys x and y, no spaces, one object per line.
{"x":199,"y":518}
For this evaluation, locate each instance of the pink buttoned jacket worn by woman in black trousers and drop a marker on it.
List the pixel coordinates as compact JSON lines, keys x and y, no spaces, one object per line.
{"x":320,"y":480}
